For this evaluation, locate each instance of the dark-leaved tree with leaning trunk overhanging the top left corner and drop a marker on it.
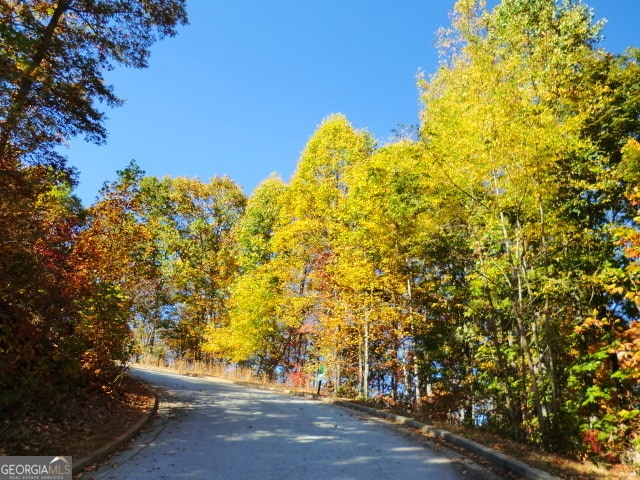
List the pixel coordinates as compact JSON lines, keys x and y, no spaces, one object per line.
{"x":53,"y":55}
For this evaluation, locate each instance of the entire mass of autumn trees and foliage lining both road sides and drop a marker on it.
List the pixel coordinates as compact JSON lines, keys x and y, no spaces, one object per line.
{"x":480,"y":271}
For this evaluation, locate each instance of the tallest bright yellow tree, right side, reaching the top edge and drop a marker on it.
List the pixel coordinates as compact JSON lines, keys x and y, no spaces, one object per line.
{"x":510,"y":121}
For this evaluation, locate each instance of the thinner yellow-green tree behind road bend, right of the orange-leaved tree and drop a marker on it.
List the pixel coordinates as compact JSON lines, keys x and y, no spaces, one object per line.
{"x":194,"y":232}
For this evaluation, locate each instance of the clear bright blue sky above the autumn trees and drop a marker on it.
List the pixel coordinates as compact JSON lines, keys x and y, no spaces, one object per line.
{"x":241,"y":88}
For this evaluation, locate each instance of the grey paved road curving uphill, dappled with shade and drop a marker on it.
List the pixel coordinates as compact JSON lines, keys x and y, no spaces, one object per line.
{"x":212,"y":429}
